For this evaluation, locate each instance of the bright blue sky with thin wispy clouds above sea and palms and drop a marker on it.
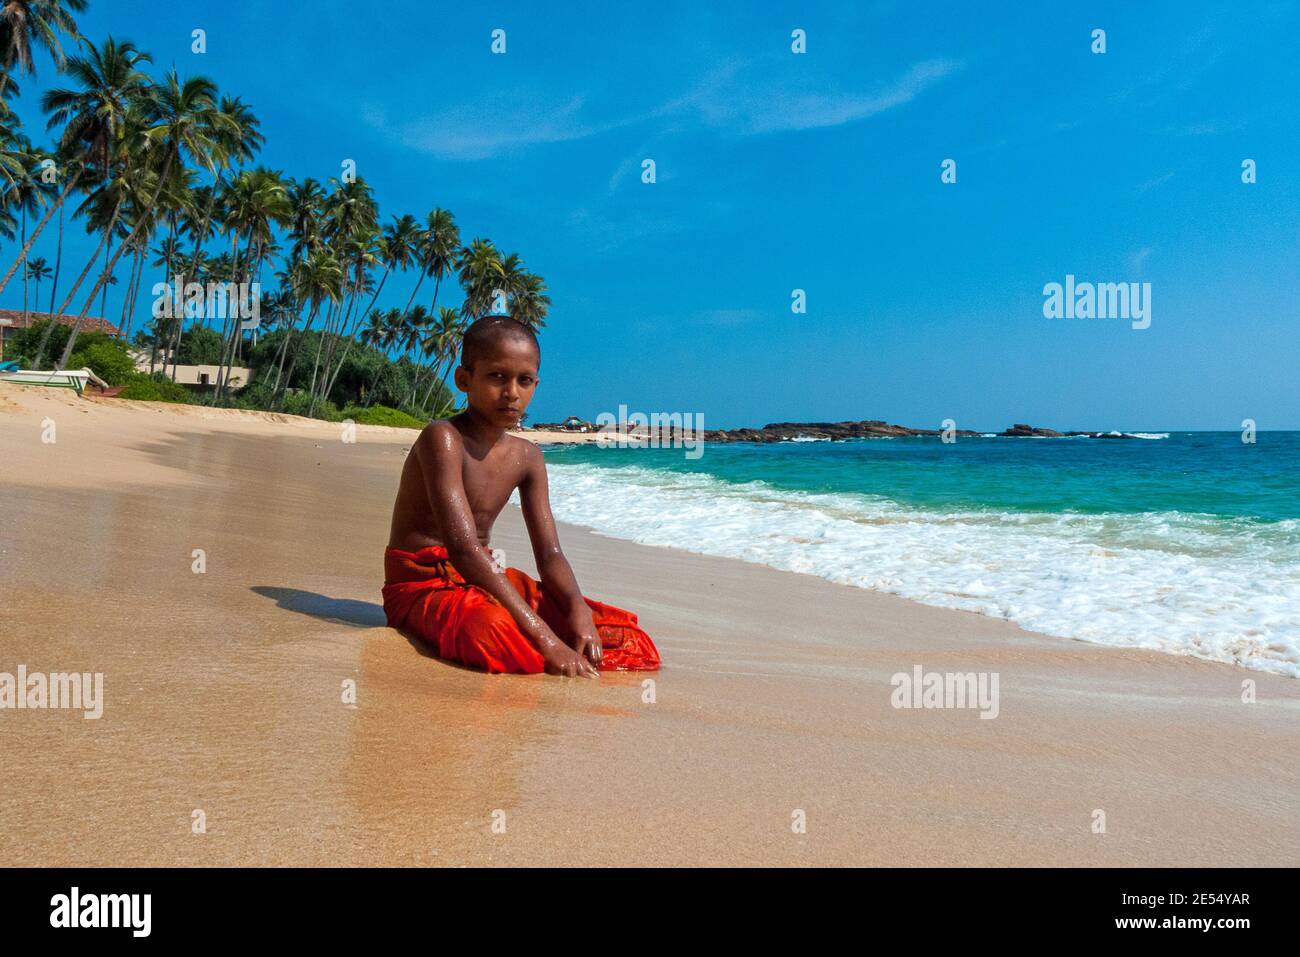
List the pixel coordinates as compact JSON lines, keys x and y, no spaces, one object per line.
{"x":818,"y":172}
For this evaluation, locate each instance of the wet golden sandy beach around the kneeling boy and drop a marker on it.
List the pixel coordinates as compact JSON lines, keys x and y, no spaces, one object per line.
{"x":224,"y":692}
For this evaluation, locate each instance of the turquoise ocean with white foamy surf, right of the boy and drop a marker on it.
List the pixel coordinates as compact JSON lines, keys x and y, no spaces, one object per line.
{"x":1182,"y":543}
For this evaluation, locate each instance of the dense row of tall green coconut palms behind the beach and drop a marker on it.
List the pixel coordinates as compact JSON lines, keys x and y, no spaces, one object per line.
{"x":162,"y":171}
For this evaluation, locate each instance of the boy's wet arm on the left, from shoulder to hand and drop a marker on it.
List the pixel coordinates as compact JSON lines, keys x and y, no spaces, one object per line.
{"x":439,"y":451}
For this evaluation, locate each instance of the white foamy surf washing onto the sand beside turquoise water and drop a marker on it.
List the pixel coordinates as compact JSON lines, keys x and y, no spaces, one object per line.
{"x":1215,"y":588}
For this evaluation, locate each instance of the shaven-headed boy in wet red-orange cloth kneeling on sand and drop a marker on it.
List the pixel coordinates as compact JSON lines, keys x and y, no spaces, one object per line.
{"x":441,"y":583}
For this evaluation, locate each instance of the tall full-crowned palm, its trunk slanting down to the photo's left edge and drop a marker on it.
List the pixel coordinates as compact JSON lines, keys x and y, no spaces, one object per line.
{"x":94,"y":118}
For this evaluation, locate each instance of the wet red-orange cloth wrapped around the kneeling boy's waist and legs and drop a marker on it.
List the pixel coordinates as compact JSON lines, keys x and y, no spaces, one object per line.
{"x":427,"y":597}
